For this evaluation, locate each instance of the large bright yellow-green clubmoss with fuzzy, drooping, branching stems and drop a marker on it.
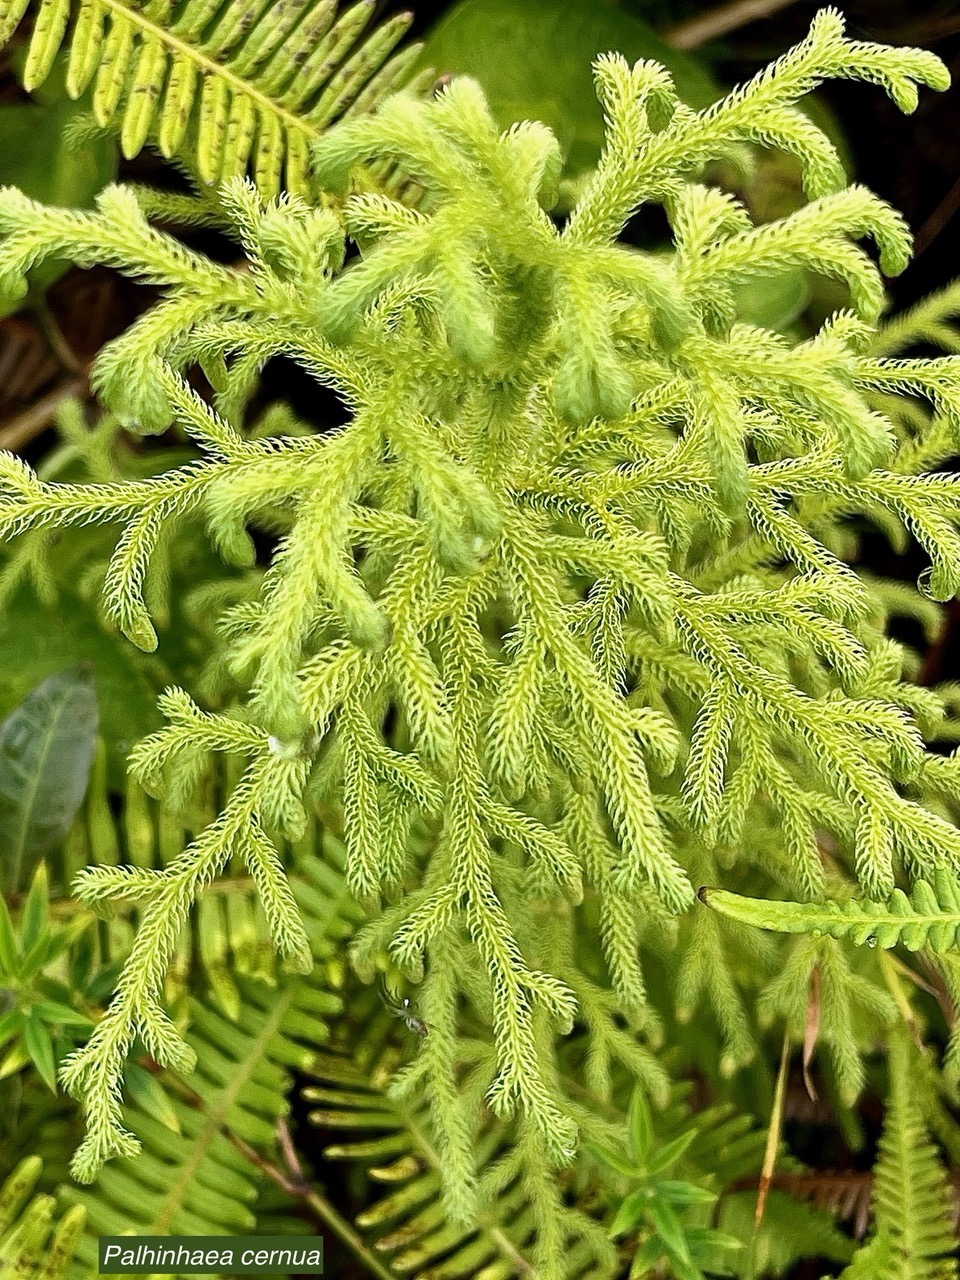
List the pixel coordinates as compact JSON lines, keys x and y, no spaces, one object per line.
{"x":561,"y":624}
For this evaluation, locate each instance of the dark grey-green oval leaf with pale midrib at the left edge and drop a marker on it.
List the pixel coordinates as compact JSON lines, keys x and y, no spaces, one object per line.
{"x":47,"y":748}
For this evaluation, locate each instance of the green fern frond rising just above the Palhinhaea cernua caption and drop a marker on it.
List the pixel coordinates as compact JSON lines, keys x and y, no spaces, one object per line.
{"x":194,"y":1173}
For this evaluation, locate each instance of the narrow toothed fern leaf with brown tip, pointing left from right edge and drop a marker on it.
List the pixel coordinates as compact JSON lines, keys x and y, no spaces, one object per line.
{"x":929,"y":918}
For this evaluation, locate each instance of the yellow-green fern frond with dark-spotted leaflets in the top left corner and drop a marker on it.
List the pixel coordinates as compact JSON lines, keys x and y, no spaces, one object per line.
{"x":227,"y":86}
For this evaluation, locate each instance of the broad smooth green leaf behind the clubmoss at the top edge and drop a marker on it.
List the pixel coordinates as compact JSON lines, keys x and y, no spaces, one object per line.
{"x":533,"y":58}
